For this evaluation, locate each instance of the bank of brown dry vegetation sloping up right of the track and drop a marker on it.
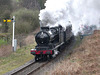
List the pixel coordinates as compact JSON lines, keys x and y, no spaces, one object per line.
{"x":85,"y":60}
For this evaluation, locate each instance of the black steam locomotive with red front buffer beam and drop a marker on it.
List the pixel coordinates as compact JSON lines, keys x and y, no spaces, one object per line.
{"x":50,"y":40}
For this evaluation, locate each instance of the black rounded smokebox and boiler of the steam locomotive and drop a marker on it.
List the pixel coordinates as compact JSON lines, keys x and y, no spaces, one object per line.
{"x":47,"y":35}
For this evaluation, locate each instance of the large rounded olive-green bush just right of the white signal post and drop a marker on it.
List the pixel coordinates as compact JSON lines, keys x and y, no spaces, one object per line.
{"x":26,"y":21}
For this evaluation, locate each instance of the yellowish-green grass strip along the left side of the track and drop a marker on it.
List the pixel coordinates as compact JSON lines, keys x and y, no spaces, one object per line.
{"x":16,"y":59}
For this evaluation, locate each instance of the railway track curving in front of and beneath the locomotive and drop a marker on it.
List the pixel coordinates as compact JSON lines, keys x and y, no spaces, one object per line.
{"x":30,"y":67}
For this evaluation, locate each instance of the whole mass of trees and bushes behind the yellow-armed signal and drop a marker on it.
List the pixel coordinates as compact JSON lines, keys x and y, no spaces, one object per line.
{"x":26,"y":12}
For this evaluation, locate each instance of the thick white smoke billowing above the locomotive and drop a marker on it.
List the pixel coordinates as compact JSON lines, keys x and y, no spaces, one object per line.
{"x":79,"y":12}
